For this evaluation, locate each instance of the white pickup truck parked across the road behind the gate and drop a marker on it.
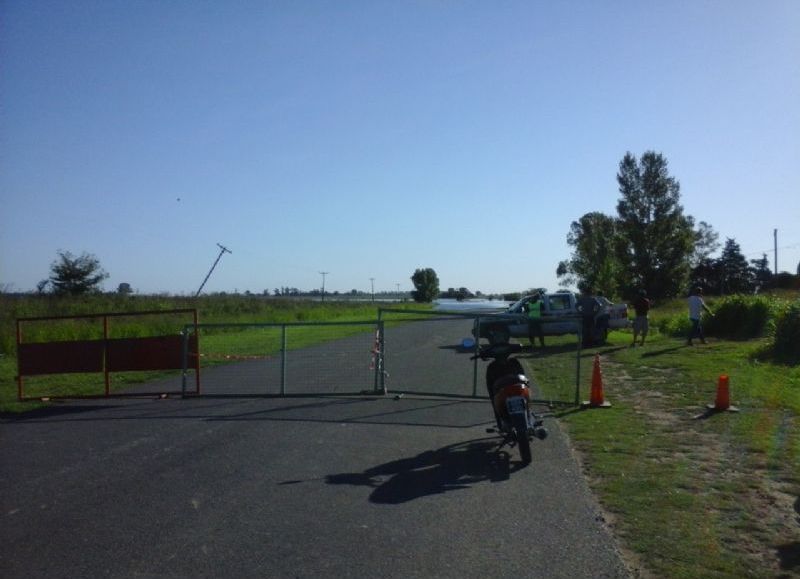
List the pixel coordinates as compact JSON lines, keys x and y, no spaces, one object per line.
{"x":564,"y":313}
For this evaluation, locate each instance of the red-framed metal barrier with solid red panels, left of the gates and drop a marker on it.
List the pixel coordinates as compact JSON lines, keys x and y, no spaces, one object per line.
{"x":108,"y":354}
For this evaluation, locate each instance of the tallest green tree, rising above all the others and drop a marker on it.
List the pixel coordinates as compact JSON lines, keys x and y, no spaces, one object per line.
{"x":655,"y":240}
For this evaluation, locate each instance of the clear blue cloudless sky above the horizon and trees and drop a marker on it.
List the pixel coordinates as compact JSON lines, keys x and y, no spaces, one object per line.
{"x":370,"y":138}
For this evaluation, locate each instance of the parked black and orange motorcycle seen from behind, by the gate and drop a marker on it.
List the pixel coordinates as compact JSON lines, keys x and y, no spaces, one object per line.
{"x":510,"y":392}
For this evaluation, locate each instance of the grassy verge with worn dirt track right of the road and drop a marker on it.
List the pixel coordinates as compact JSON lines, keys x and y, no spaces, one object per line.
{"x":689,"y":493}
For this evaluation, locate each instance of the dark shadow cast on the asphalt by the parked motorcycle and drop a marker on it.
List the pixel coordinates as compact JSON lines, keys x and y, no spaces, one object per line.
{"x":447,"y":469}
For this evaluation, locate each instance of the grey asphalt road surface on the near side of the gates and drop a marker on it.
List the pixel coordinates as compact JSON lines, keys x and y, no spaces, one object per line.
{"x":290,"y":487}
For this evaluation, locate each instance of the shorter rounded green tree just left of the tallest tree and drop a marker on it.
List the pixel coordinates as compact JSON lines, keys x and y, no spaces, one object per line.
{"x":593,"y":265}
